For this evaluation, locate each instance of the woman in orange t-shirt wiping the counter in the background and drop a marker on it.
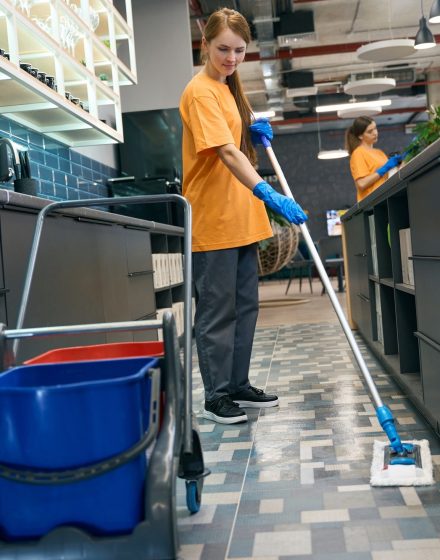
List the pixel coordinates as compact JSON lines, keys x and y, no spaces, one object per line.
{"x":369,"y":166}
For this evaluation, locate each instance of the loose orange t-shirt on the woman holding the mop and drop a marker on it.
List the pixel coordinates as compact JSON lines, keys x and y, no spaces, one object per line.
{"x":225,"y":213}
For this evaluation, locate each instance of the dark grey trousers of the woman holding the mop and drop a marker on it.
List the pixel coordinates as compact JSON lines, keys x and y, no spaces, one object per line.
{"x":226,"y":284}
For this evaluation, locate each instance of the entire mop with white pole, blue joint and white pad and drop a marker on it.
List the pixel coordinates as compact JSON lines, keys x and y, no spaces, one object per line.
{"x":395,"y":463}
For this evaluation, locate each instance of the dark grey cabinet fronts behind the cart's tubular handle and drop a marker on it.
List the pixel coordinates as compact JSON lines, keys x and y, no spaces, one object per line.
{"x":86,"y":271}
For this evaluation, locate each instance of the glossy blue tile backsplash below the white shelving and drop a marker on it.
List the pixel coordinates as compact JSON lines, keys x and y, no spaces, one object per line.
{"x":61,"y":173}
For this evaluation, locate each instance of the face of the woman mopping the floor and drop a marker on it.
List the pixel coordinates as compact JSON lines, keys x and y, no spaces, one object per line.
{"x":225,"y":53}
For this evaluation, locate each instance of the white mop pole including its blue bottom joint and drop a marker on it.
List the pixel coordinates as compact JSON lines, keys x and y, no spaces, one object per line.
{"x":383,"y":413}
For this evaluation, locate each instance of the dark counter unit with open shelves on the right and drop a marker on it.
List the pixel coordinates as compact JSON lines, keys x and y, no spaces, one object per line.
{"x":393,"y":253}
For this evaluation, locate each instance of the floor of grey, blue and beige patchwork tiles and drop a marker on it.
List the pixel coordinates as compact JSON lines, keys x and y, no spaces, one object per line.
{"x":293,"y":483}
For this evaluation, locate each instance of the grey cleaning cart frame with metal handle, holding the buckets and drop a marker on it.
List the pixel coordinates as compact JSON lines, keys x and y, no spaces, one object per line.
{"x":177,"y":450}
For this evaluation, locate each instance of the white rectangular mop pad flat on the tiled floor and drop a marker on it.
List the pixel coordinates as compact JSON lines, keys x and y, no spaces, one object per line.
{"x":401,"y":475}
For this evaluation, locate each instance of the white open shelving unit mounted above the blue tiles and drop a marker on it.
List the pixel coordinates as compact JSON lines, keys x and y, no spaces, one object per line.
{"x":79,"y":43}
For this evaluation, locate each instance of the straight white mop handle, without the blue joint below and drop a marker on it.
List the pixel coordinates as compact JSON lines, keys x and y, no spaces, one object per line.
{"x":325,"y":279}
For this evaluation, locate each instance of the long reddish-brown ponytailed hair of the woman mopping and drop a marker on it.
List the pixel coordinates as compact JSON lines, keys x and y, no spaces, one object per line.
{"x":233,"y":20}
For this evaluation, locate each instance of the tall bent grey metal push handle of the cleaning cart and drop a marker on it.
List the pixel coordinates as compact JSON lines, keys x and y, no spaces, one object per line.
{"x":187,"y":273}
